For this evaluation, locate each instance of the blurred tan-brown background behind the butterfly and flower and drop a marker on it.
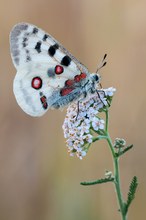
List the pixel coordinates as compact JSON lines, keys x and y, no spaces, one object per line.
{"x":38,"y":179}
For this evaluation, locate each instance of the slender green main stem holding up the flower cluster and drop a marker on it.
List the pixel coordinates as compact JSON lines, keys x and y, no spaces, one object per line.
{"x":116,"y":171}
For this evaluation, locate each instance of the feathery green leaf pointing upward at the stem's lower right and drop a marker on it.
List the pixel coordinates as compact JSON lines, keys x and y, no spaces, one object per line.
{"x":131,"y":193}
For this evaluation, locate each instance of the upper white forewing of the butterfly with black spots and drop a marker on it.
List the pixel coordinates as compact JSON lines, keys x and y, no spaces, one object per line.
{"x":29,"y":43}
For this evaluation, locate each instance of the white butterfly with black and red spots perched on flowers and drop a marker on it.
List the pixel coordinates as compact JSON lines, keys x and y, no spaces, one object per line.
{"x":48,"y":76}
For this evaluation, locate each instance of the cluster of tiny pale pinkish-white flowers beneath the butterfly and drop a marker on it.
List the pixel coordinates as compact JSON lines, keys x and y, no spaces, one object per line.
{"x":81,"y":120}
